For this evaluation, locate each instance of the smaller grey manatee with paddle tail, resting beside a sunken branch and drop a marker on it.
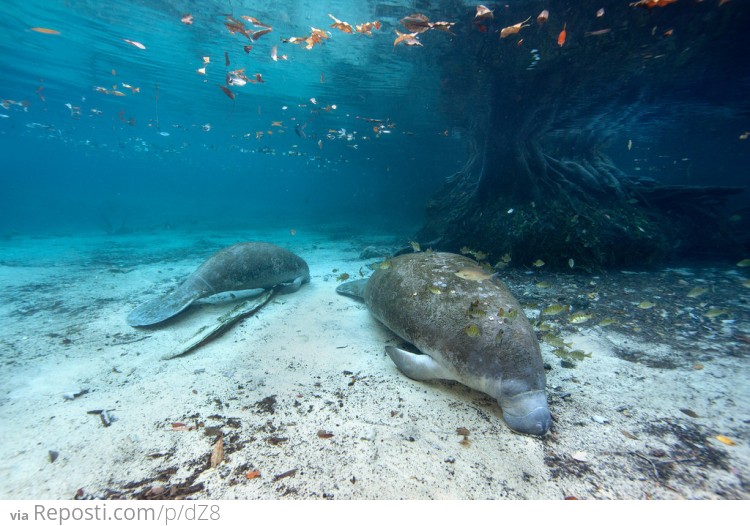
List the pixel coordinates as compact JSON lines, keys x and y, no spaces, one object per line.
{"x":243,"y":266}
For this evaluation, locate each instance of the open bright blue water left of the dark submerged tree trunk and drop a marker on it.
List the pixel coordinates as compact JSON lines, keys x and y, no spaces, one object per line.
{"x":179,"y":151}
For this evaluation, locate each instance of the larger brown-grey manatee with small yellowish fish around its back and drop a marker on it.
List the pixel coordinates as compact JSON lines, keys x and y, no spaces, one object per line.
{"x":467,"y":327}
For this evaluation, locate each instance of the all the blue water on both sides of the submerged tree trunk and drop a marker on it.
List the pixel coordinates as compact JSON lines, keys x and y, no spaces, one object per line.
{"x":99,"y":135}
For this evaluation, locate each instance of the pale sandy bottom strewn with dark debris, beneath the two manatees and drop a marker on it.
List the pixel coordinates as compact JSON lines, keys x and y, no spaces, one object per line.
{"x":306,"y":405}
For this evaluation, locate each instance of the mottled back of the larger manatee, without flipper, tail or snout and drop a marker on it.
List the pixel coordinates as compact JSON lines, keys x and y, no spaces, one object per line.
{"x":450,"y":308}
